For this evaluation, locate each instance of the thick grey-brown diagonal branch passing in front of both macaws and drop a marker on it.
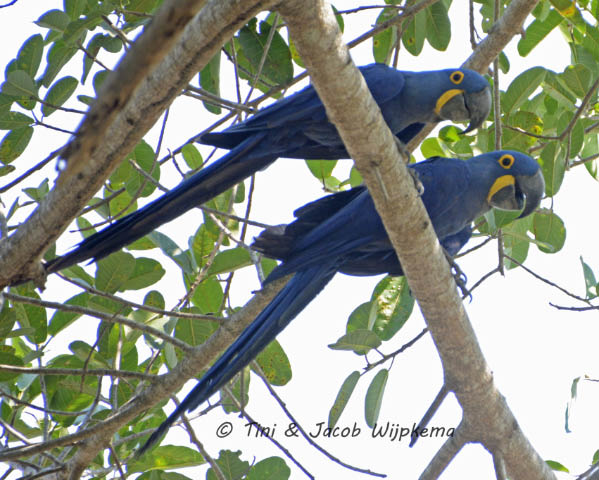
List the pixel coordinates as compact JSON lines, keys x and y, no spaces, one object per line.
{"x":371,"y":144}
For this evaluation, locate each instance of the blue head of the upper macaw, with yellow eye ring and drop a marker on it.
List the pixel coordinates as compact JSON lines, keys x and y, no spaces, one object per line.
{"x":462,"y":95}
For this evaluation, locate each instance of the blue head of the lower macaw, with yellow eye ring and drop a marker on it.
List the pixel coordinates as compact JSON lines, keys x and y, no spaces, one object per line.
{"x":512,"y":180}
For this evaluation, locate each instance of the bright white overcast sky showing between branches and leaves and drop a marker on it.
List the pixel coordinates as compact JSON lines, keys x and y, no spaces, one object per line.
{"x":533,"y":350}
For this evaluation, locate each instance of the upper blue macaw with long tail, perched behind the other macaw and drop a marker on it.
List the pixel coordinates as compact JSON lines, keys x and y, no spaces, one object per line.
{"x":297,"y":127}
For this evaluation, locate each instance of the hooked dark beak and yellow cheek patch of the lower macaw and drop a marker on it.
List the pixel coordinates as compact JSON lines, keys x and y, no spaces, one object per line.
{"x":518,"y":192}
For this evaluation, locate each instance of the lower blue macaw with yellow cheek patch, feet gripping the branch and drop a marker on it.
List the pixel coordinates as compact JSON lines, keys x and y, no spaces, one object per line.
{"x":343,"y":233}
